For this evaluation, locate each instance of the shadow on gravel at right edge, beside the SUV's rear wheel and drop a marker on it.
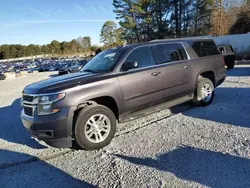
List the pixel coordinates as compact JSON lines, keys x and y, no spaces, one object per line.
{"x":230,"y":106}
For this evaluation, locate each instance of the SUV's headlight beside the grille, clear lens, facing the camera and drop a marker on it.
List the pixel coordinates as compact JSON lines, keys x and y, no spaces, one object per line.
{"x":46,"y":103}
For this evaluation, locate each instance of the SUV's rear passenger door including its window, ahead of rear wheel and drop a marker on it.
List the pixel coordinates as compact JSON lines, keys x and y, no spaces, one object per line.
{"x":177,"y":70}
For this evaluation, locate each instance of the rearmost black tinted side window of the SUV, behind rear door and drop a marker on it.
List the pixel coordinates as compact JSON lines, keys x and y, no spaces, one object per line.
{"x":204,"y":48}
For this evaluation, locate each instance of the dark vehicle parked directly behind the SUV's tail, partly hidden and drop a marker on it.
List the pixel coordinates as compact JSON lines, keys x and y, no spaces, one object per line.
{"x":228,"y":54}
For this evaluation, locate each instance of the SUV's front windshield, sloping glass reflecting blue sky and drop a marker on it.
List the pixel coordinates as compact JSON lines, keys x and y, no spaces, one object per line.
{"x":103,"y":62}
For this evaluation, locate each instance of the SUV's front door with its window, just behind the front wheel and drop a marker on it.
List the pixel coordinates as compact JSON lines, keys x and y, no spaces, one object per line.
{"x":143,"y":85}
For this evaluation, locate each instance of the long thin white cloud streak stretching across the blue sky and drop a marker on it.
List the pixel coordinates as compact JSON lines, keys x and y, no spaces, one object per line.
{"x":31,"y":22}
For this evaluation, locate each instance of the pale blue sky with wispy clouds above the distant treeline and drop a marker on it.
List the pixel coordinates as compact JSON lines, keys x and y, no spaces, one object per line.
{"x":41,"y":21}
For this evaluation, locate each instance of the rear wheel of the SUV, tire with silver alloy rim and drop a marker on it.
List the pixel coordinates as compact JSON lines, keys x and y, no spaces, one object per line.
{"x":199,"y":99}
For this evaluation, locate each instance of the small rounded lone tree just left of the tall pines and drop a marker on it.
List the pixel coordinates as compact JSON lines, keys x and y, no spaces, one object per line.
{"x":108,"y":33}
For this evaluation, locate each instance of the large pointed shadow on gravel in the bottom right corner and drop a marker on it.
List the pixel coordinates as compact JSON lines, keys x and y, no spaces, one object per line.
{"x":208,"y":168}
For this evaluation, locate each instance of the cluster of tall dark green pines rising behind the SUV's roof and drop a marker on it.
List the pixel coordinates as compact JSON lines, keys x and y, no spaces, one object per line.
{"x":144,"y":20}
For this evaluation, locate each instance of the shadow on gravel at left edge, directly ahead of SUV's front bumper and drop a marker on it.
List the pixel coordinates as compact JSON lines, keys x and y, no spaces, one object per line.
{"x":11,"y":128}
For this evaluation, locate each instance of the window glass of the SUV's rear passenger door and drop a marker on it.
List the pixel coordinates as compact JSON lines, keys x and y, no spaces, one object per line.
{"x":166,"y":53}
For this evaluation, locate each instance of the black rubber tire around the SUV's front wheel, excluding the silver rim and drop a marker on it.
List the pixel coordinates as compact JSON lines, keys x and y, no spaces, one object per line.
{"x":83,"y":117}
